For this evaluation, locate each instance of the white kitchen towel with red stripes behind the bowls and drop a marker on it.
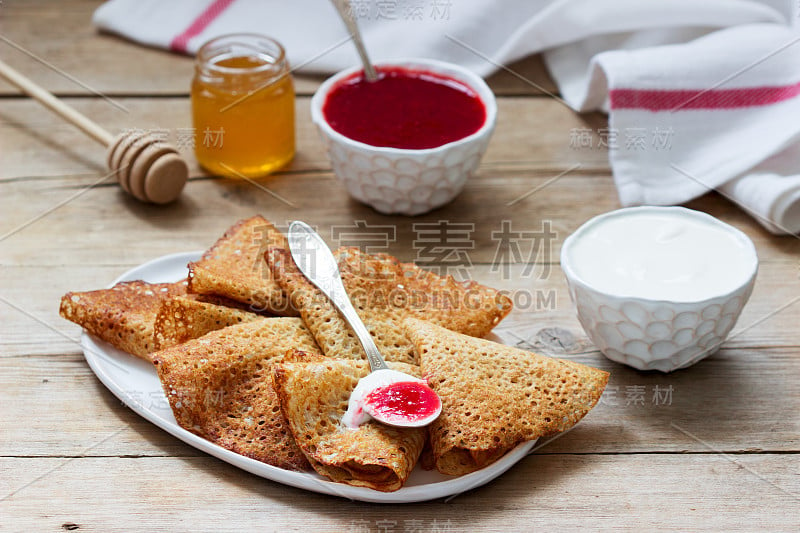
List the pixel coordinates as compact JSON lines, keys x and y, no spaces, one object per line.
{"x":700,"y":95}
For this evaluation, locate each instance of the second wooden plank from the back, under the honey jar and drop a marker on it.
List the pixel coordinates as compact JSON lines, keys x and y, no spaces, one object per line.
{"x":38,"y":143}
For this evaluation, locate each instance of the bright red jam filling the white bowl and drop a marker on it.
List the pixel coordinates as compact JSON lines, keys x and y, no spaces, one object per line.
{"x":404,"y":108}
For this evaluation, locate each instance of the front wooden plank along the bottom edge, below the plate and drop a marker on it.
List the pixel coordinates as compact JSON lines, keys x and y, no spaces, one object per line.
{"x":554,"y":492}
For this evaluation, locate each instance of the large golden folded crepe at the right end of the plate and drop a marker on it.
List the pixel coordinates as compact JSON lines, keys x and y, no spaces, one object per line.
{"x":495,"y":397}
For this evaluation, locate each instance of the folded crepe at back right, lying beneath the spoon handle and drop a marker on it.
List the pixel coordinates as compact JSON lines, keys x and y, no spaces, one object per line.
{"x":385,"y":292}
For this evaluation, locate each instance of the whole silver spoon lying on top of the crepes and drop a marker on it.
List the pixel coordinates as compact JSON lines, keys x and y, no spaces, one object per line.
{"x":315,"y":260}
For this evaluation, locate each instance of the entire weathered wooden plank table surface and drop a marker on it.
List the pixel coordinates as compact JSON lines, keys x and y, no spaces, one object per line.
{"x":713,"y":446}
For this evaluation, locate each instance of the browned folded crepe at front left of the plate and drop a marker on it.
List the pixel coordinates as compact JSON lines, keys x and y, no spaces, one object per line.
{"x":220,"y":387}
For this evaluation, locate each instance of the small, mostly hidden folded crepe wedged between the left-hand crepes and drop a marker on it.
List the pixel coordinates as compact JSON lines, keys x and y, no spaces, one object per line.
{"x":183,"y":318}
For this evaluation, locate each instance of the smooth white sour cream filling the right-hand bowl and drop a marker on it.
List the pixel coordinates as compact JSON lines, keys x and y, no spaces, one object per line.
{"x":656,"y":253}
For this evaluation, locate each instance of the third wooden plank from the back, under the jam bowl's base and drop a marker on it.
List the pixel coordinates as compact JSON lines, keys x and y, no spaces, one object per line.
{"x":89,"y":223}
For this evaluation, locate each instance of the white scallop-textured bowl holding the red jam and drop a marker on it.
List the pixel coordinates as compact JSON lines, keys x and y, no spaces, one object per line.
{"x":406,"y":181}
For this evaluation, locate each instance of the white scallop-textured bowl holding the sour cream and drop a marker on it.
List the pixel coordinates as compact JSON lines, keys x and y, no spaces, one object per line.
{"x":658,"y":334}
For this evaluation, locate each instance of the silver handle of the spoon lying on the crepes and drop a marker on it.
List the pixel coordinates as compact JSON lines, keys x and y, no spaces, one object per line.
{"x":315,"y":260}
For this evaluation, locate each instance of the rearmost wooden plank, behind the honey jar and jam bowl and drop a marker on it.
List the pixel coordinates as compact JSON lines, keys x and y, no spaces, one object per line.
{"x":113,"y":66}
